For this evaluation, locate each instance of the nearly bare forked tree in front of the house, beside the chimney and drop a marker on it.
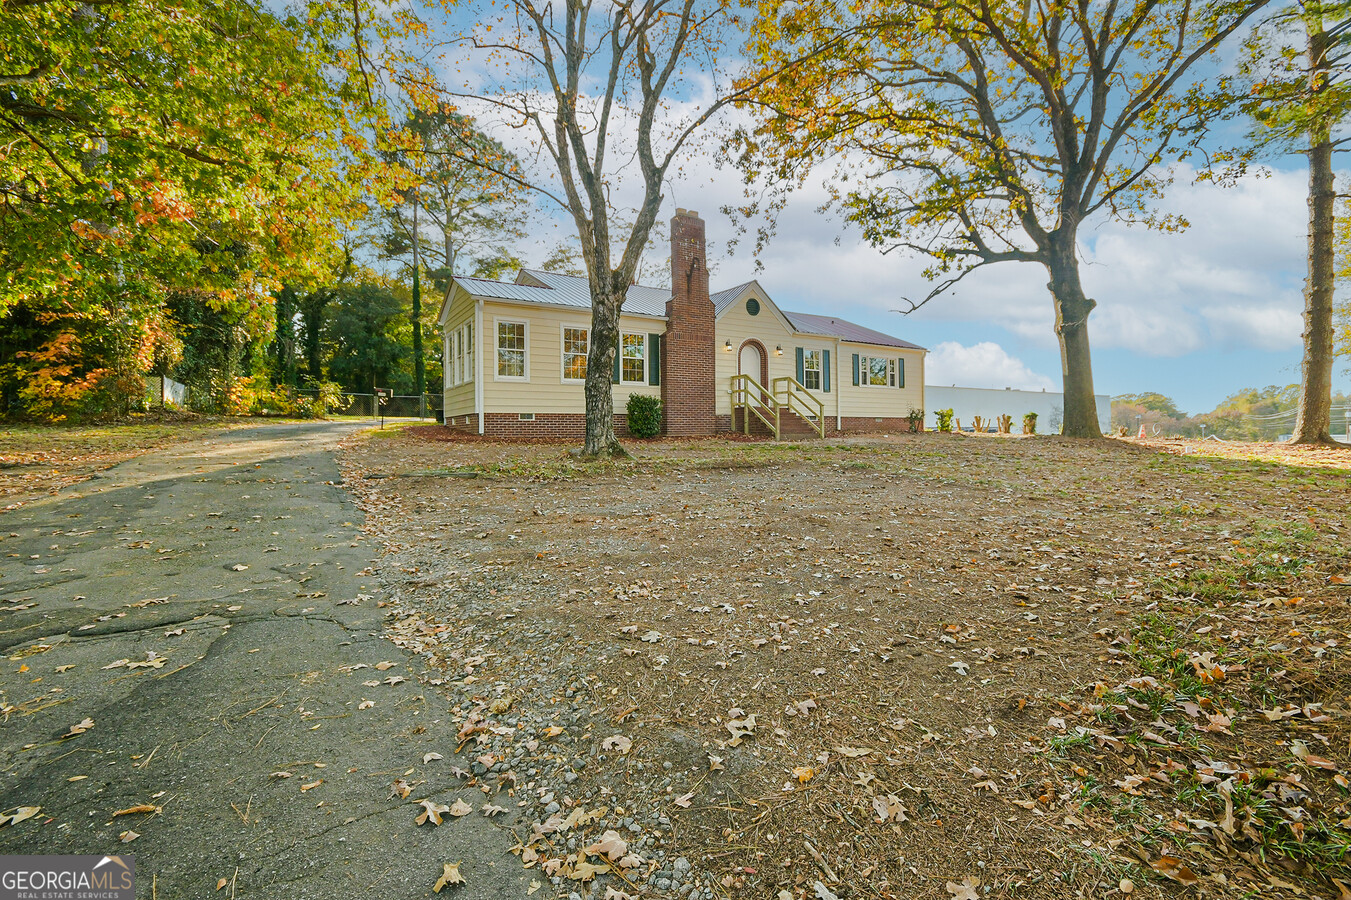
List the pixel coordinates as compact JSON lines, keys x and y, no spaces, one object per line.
{"x":595,"y":84}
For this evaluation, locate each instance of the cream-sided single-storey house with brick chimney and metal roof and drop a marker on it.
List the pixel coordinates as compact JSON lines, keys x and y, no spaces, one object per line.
{"x":515,"y":357}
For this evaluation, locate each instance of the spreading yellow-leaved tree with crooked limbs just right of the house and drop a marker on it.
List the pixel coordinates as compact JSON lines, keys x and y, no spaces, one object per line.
{"x":986,"y":132}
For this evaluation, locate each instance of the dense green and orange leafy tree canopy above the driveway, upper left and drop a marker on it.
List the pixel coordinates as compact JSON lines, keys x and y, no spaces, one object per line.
{"x":143,"y":147}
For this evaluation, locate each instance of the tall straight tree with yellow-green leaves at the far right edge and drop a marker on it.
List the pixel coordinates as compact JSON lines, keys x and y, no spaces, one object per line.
{"x":1300,"y":70}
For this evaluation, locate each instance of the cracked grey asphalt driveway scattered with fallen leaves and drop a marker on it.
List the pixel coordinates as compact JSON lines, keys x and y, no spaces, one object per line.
{"x":125,"y":602}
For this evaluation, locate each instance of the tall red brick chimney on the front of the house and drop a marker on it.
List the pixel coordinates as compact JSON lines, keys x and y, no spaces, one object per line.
{"x":690,"y":394}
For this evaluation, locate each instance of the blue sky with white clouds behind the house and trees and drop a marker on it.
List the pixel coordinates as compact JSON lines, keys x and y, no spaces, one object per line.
{"x":1196,"y":316}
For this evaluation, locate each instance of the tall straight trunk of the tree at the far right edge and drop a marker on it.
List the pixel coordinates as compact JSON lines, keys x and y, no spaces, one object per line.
{"x":1314,"y":422}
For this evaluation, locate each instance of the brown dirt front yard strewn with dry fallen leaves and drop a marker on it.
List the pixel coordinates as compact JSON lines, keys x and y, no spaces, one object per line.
{"x":913,"y":667}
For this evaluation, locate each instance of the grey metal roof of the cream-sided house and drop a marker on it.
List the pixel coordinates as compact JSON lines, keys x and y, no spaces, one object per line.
{"x":555,"y":290}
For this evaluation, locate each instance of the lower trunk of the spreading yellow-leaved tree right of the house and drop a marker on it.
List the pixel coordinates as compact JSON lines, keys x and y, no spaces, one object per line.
{"x":1072,"y":329}
